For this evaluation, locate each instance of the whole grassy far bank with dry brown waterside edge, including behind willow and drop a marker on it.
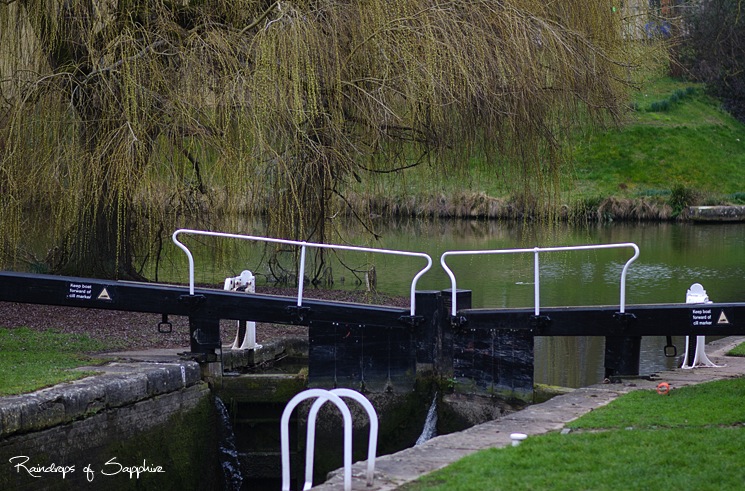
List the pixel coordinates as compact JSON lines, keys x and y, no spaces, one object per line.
{"x":677,"y":148}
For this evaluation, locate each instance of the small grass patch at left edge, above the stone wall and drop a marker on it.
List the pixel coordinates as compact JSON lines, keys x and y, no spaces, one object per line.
{"x":31,"y":360}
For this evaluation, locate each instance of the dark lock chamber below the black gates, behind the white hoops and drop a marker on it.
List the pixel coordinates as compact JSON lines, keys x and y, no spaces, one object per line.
{"x":256,"y":394}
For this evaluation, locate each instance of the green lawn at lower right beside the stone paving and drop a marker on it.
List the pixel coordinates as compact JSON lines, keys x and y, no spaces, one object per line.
{"x":693,"y":438}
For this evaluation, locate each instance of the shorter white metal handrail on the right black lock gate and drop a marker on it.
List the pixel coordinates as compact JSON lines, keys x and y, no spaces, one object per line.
{"x":536,"y":273}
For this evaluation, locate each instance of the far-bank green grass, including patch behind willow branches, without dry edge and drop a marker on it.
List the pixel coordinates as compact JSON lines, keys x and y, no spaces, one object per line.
{"x":689,"y":143}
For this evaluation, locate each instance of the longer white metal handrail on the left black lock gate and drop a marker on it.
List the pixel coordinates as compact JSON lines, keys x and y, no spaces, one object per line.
{"x":303,"y":245}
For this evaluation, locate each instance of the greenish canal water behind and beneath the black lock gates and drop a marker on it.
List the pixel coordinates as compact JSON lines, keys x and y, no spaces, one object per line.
{"x":673,"y":256}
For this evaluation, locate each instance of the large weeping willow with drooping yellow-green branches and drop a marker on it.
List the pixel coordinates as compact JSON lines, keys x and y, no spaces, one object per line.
{"x":114,"y":112}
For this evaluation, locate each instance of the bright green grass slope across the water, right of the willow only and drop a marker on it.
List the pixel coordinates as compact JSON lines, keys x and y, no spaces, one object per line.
{"x":692,"y":144}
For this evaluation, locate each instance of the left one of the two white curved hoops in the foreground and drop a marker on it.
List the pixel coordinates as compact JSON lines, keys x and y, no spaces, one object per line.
{"x":323,"y":395}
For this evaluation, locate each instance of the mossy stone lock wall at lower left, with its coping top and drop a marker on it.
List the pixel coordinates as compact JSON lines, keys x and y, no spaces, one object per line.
{"x":152,"y":427}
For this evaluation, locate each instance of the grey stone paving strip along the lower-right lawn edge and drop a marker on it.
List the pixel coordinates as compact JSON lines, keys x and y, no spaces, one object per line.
{"x":392,"y":471}
